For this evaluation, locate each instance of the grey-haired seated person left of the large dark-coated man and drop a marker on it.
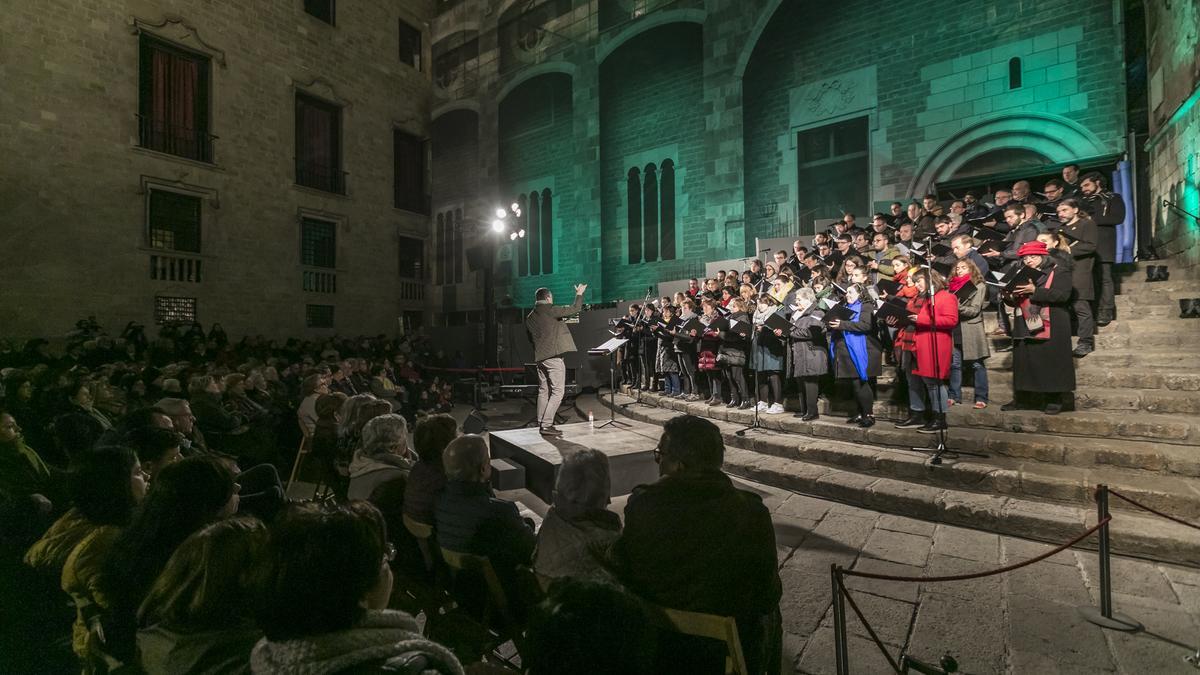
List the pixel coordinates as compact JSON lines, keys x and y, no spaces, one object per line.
{"x":578,"y":530}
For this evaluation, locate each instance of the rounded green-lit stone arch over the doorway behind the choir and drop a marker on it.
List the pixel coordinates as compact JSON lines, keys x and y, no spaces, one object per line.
{"x":1057,"y":139}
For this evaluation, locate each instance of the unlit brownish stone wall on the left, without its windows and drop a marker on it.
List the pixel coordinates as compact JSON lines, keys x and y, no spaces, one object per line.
{"x":75,"y":180}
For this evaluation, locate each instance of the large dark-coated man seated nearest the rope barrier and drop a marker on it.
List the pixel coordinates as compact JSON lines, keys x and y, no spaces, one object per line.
{"x":687,"y":534}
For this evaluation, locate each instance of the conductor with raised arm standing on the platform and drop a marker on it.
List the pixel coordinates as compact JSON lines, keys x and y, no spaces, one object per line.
{"x":551,"y":339}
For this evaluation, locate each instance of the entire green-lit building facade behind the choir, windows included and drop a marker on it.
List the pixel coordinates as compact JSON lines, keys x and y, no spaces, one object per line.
{"x":673,"y":133}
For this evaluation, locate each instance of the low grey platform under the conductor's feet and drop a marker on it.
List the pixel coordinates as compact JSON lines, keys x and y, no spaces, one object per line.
{"x":629,"y":446}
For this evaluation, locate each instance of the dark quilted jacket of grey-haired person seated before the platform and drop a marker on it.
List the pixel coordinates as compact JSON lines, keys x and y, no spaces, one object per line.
{"x":471,"y":521}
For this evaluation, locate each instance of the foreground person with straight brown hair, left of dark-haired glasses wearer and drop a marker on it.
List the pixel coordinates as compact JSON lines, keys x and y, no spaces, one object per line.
{"x":197,"y":617}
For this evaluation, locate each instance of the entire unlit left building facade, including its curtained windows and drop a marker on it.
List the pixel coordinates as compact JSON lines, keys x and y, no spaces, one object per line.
{"x":157,"y":165}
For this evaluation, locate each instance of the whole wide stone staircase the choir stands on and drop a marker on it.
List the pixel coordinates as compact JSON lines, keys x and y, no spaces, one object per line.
{"x":1137,"y":429}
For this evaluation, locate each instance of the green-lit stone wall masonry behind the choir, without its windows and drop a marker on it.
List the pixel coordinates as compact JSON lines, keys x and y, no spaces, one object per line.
{"x":727,"y":87}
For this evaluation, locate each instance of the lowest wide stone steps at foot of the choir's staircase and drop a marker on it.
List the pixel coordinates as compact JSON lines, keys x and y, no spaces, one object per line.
{"x":1021,"y":499}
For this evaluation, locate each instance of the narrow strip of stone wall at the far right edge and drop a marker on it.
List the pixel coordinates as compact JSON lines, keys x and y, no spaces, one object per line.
{"x":1174,"y":68}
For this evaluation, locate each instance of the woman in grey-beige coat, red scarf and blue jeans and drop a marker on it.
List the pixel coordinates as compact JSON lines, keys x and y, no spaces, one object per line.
{"x":971,"y":348}
